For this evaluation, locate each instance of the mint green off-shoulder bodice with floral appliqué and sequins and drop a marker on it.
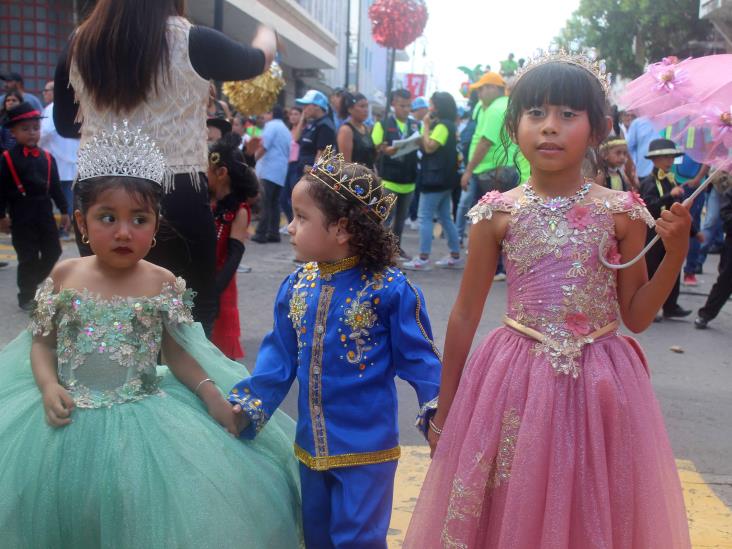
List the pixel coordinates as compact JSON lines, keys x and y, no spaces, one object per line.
{"x":107,"y":349}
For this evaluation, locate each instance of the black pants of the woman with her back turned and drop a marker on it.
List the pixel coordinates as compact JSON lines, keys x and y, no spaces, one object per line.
{"x":186,"y":244}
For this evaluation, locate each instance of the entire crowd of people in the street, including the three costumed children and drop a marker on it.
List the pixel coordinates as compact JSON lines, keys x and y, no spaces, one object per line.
{"x":168,"y":180}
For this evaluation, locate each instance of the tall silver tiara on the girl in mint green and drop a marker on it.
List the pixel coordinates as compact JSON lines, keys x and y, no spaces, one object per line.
{"x":123,"y":152}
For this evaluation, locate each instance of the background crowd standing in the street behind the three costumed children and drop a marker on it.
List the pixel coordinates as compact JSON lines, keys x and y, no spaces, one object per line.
{"x":463,"y":152}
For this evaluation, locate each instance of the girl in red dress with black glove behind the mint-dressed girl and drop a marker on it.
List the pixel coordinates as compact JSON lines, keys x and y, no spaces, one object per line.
{"x":233,"y":186}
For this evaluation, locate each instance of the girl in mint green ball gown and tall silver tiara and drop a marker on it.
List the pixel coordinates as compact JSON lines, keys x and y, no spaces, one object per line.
{"x":100,"y":445}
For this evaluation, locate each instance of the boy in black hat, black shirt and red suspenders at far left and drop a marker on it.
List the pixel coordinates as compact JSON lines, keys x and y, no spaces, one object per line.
{"x":28,"y":181}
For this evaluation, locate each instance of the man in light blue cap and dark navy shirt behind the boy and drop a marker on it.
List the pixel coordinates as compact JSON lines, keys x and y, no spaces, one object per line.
{"x":317,"y":133}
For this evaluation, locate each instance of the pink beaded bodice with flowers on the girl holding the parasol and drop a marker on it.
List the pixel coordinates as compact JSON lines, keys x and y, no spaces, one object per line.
{"x":556,"y":282}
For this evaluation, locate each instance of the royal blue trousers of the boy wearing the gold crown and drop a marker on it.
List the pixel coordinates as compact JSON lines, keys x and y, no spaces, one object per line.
{"x":347,"y":508}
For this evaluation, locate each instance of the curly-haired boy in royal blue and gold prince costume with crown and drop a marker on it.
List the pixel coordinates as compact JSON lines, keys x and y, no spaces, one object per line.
{"x":345,"y":325}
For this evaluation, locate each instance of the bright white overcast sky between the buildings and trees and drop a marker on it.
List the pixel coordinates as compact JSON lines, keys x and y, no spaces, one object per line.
{"x":469,"y":32}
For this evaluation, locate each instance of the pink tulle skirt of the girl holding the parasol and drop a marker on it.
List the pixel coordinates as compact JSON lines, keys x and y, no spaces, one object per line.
{"x":530,"y":459}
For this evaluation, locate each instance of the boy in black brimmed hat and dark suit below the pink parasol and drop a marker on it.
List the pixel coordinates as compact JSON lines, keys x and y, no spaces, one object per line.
{"x":659,"y":190}
